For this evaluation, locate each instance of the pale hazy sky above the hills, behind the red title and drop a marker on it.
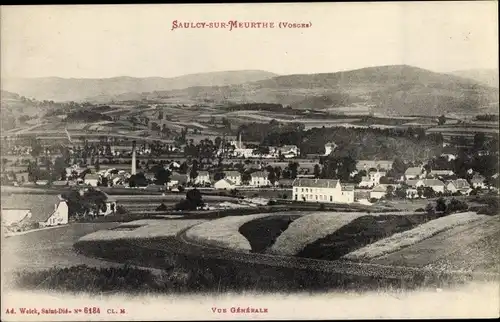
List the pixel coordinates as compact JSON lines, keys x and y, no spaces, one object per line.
{"x":137,"y":40}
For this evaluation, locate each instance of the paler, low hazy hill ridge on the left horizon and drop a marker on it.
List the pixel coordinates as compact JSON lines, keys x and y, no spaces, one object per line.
{"x":79,"y":89}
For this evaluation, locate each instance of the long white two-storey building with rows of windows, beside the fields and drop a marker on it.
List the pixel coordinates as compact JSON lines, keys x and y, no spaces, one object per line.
{"x":321,"y":190}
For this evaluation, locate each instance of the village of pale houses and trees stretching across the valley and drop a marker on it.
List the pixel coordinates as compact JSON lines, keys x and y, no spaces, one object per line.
{"x":260,"y":174}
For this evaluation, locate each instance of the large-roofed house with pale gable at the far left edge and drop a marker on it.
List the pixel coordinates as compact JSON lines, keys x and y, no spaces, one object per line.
{"x":35,"y":210}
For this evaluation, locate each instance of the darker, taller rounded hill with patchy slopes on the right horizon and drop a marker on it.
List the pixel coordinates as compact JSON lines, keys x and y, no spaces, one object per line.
{"x":395,"y":89}
